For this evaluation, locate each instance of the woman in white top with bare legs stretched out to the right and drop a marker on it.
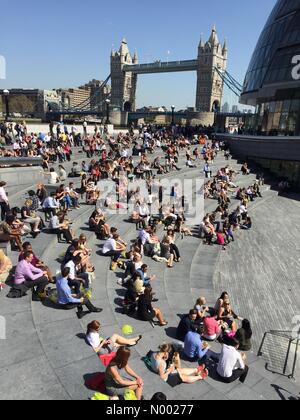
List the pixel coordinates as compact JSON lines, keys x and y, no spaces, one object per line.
{"x":110,"y":345}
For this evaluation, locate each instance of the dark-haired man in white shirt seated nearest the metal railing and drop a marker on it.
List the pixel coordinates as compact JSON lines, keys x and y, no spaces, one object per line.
{"x":232,"y":364}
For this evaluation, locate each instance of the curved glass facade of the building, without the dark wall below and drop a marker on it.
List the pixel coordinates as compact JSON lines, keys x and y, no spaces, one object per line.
{"x":272,"y":82}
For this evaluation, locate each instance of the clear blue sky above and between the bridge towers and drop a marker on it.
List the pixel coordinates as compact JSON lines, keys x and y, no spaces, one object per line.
{"x":66,"y":43}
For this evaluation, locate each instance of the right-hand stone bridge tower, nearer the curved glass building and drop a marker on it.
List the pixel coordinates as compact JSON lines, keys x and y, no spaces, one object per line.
{"x":209,"y":83}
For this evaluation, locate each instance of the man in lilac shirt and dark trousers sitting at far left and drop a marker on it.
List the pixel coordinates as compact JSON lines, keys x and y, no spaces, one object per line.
{"x":31,"y":277}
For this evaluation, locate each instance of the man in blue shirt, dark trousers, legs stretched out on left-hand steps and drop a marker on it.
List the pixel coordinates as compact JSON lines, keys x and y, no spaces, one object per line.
{"x":67,"y":300}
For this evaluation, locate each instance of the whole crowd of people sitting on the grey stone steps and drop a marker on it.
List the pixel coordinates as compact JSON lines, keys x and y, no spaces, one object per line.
{"x":148,"y":156}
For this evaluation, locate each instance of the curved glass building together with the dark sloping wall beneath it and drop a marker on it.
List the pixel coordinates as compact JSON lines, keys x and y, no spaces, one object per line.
{"x":271,"y":137}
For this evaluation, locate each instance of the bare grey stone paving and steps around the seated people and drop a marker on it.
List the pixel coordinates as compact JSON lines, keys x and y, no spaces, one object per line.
{"x":45,"y":355}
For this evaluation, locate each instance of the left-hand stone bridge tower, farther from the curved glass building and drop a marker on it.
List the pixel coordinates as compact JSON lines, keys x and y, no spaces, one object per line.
{"x":123,"y":84}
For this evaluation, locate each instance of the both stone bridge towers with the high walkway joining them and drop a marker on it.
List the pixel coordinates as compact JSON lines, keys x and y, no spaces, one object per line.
{"x":212,"y":55}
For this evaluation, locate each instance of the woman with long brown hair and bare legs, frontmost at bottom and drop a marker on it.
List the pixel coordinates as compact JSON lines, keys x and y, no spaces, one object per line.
{"x":115,"y":384}
